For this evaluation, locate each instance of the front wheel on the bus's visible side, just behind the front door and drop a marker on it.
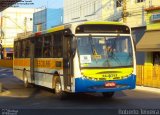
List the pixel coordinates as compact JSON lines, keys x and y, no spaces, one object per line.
{"x":58,"y":89}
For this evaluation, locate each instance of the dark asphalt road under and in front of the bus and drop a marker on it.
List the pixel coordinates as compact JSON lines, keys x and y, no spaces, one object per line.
{"x":42,"y":100}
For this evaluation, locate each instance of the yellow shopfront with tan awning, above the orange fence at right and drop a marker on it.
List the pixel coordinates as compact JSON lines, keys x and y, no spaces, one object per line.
{"x":152,"y":49}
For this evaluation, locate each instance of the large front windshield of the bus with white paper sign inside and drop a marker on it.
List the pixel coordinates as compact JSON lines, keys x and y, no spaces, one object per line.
{"x":107,"y":51}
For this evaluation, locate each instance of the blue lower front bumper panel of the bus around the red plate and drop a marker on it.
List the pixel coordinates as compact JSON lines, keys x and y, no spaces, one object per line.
{"x":85,"y":85}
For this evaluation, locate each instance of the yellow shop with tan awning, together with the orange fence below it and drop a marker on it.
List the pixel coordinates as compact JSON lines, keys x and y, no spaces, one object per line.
{"x":149,"y":73}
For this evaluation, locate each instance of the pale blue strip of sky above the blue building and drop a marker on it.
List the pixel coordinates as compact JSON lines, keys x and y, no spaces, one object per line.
{"x":43,"y":3}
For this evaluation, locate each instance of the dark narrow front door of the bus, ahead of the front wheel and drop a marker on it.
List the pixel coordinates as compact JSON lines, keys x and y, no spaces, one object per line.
{"x":67,"y":62}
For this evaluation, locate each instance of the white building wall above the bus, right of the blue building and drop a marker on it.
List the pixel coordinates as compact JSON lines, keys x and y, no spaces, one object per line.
{"x":82,"y":10}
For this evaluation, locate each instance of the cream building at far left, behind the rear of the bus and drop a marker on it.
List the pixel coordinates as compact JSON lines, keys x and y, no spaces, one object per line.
{"x":12,"y":22}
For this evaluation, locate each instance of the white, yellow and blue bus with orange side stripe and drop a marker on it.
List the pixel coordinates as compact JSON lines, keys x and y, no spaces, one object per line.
{"x":88,"y":57}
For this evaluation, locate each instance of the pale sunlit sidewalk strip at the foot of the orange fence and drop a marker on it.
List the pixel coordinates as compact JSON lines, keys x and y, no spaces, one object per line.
{"x":148,"y":89}
